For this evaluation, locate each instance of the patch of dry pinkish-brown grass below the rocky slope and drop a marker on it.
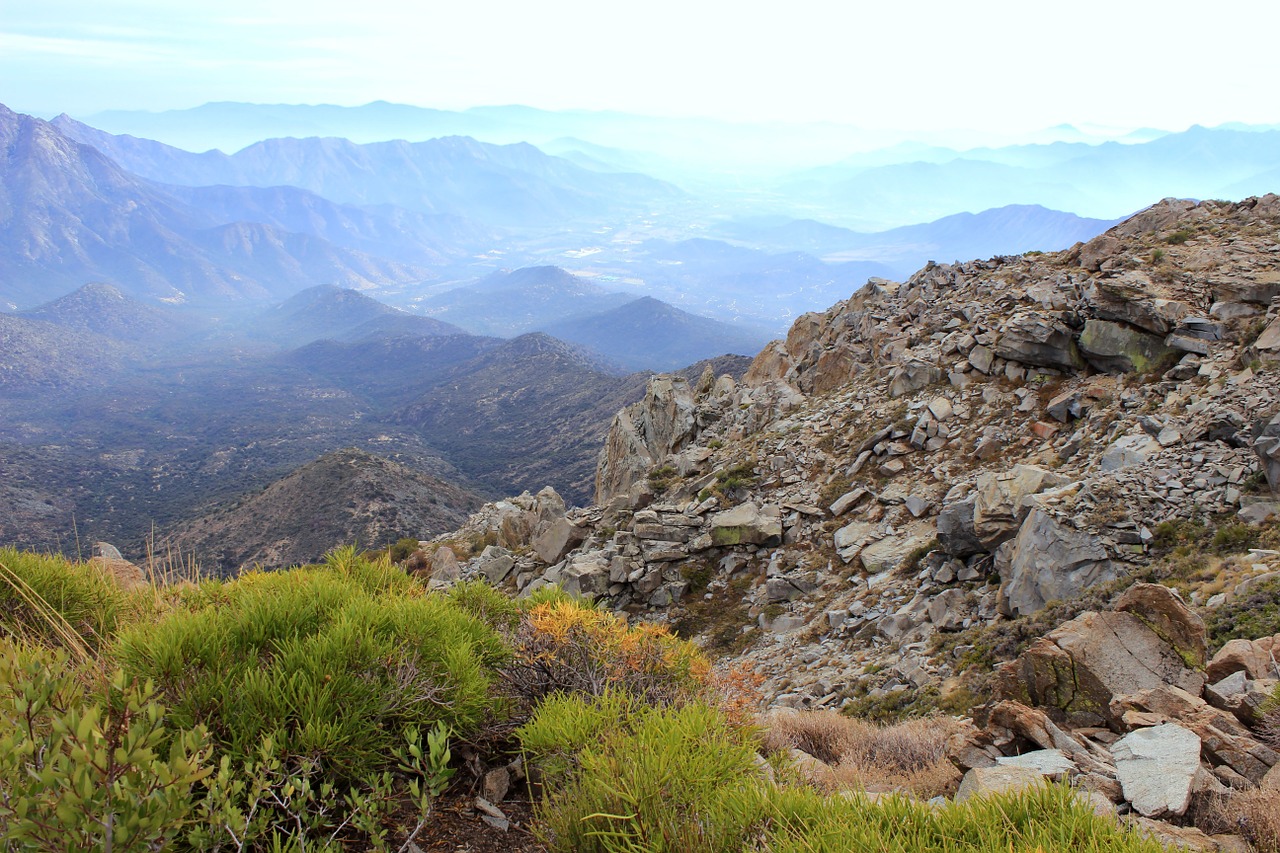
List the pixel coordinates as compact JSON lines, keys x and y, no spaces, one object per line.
{"x":866,"y":756}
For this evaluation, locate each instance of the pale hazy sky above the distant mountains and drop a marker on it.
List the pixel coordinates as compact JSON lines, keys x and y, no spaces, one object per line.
{"x":888,"y":65}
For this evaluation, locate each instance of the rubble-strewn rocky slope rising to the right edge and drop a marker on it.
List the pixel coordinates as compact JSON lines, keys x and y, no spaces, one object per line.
{"x":934,"y":467}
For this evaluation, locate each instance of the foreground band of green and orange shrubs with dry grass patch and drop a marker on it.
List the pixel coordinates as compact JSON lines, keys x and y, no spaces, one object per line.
{"x":314,"y":710}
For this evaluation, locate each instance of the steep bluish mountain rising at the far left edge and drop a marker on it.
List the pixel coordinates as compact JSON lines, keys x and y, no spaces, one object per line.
{"x":68,"y":215}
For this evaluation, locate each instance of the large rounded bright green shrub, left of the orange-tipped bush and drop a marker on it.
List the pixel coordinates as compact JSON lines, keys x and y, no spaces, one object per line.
{"x":327,"y":663}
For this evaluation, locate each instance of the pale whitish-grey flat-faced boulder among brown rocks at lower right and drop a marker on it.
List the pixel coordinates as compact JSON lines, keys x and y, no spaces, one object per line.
{"x":1156,"y":769}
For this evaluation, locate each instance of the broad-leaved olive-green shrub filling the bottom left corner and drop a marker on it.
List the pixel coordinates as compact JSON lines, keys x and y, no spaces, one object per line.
{"x":90,"y":773}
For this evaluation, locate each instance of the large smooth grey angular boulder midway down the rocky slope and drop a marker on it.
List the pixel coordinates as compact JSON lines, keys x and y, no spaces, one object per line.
{"x":1049,"y":562}
